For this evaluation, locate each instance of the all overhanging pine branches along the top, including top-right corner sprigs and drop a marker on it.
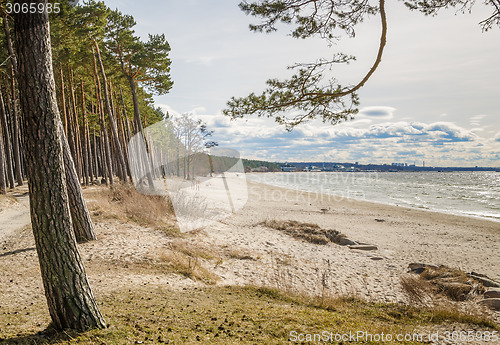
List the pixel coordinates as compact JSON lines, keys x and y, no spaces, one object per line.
{"x":312,"y":92}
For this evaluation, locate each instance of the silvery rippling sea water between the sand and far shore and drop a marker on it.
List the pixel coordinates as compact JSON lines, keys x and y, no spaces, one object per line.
{"x":475,"y":194}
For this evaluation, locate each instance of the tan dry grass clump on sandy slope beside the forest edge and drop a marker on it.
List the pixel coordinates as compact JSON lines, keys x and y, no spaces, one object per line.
{"x":124,"y":202}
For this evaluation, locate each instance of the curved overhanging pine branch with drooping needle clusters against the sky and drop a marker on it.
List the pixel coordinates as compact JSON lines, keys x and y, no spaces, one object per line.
{"x":303,"y":93}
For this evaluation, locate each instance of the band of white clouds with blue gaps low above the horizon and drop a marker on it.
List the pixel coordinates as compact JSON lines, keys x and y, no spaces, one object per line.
{"x":439,"y":143}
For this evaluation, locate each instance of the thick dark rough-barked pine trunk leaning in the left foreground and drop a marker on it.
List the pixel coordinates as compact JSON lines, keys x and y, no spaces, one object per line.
{"x":69,"y":297}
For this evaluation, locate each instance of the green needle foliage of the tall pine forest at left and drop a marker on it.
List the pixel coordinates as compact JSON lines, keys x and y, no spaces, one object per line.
{"x":72,"y":33}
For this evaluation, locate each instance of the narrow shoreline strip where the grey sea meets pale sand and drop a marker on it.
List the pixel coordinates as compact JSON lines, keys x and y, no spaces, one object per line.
{"x":458,"y":214}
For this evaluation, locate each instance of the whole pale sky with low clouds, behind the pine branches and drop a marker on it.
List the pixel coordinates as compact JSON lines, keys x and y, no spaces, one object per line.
{"x":435,"y":97}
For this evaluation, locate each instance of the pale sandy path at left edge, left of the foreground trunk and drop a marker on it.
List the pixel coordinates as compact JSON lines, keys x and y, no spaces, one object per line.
{"x":16,"y":217}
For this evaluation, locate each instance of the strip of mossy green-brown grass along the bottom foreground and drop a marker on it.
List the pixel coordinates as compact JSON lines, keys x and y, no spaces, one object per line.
{"x":226,"y":315}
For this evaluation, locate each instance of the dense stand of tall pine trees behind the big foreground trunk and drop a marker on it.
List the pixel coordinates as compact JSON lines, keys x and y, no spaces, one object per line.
{"x":105,"y":77}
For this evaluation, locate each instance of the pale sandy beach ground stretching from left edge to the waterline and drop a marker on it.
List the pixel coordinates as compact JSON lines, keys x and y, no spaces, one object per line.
{"x":240,"y":250}
